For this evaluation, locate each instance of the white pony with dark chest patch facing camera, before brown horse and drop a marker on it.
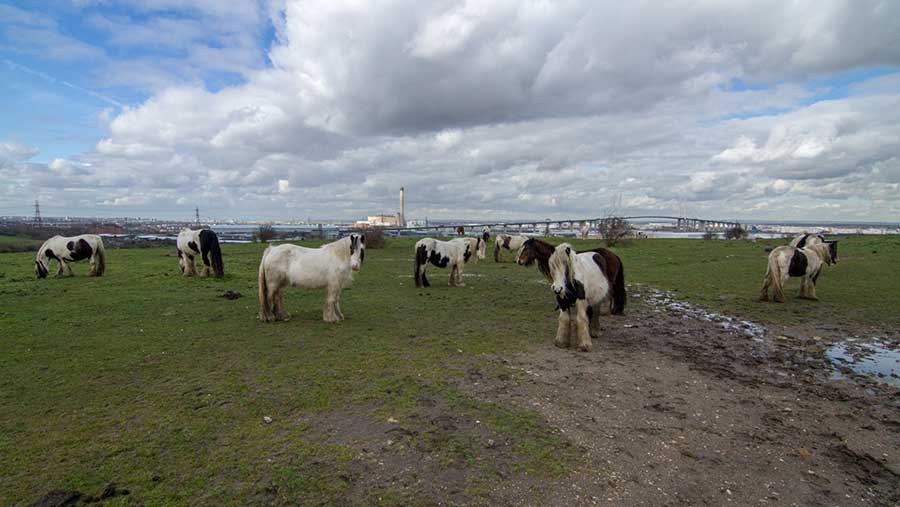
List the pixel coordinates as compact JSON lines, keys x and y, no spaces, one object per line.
{"x":581,"y":288}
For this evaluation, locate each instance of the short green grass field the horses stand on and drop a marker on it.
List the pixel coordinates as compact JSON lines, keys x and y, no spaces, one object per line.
{"x":153,"y":381}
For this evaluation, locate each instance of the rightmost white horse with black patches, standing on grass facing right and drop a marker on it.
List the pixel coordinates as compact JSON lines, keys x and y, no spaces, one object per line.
{"x":806,"y":263}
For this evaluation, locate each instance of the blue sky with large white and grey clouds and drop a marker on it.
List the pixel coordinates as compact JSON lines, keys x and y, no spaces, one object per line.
{"x":494,"y":110}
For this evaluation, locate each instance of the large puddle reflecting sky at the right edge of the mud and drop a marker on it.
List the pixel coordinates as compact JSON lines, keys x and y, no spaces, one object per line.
{"x":875,"y":358}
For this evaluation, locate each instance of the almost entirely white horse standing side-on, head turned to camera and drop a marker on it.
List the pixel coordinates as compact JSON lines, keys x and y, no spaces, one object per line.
{"x":328,"y":267}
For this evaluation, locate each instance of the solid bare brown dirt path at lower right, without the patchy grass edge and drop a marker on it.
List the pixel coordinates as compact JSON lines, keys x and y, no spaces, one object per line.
{"x":673,"y":410}
